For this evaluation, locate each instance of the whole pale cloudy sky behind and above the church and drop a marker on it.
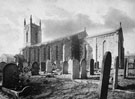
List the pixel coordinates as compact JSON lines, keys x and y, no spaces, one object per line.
{"x":65,"y":17}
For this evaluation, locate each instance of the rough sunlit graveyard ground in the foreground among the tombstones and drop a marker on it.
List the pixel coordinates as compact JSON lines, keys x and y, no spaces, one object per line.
{"x":61,"y":87}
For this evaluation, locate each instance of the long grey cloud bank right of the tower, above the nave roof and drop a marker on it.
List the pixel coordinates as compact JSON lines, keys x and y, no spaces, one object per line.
{"x":59,"y":28}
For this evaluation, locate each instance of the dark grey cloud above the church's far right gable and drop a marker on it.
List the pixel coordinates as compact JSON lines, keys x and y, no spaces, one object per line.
{"x":115,"y":16}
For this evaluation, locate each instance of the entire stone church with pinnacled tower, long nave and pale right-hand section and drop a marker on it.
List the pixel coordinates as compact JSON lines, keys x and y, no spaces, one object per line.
{"x":78,"y":46}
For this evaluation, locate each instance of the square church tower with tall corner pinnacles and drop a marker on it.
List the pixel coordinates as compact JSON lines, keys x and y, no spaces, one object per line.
{"x":32,"y":33}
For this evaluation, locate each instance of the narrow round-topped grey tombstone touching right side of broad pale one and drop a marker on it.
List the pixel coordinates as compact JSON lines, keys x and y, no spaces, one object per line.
{"x":83,"y":69}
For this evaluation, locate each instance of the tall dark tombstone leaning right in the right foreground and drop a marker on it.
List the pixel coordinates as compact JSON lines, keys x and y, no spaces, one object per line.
{"x":105,"y":74}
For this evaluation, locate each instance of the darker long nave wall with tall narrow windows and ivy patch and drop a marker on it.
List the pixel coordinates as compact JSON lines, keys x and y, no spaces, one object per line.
{"x":61,"y":49}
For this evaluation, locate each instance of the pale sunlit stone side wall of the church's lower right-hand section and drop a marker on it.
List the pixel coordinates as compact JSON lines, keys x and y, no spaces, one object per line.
{"x":97,"y":46}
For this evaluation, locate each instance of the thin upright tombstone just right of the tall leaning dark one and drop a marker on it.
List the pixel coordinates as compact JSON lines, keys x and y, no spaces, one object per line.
{"x":115,"y":77}
